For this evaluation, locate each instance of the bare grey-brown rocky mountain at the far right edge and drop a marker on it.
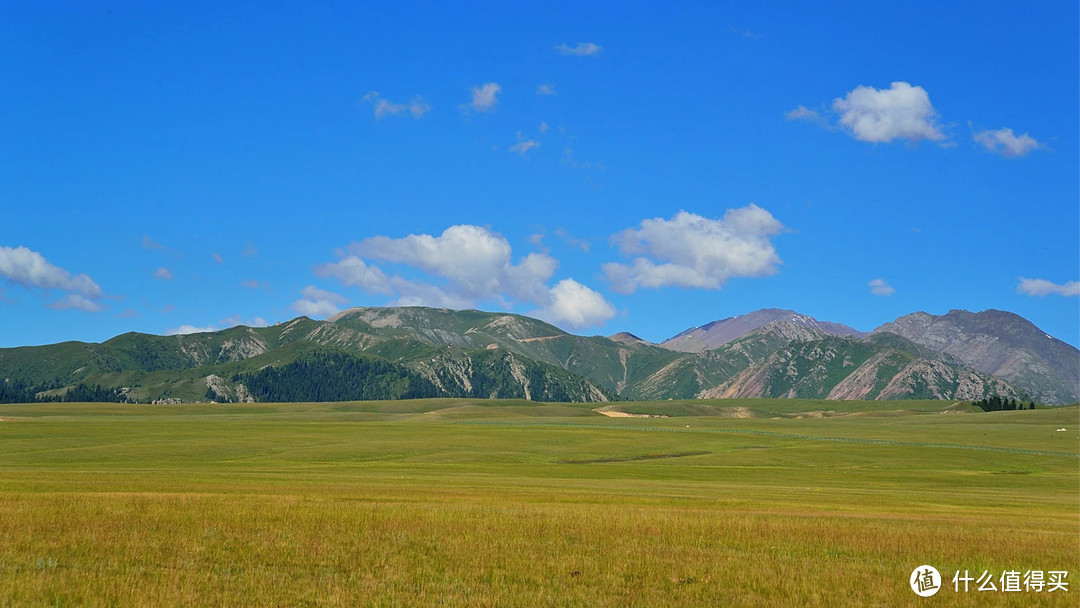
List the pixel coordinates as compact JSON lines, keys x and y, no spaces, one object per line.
{"x":1000,"y":344}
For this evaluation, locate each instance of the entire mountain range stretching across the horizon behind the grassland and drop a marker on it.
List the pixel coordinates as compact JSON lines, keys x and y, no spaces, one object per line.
{"x":413,"y":352}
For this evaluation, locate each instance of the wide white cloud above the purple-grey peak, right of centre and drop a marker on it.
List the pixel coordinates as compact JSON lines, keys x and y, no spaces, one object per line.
{"x":692,"y":251}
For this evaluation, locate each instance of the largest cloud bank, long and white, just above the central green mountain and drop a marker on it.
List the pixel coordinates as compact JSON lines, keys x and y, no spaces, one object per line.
{"x":466,"y":265}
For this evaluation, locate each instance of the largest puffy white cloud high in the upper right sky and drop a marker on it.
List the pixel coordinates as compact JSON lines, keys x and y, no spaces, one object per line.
{"x":901,"y":112}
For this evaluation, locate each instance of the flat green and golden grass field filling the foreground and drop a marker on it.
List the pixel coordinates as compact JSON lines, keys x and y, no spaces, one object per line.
{"x":753,"y":503}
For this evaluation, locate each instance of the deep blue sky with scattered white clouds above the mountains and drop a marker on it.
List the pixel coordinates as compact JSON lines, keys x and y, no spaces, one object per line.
{"x":645,"y":168}
